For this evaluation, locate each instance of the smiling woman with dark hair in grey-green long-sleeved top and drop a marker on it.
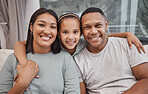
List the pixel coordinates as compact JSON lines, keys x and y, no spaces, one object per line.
{"x":56,"y":70}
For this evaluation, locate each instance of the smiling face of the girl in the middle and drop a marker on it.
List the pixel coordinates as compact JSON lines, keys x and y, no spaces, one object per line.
{"x":70,"y":33}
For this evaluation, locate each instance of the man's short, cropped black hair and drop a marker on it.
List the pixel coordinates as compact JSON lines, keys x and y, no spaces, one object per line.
{"x":92,"y":10}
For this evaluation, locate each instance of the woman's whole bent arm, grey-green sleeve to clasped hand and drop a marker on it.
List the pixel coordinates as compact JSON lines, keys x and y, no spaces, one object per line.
{"x":25,"y":75}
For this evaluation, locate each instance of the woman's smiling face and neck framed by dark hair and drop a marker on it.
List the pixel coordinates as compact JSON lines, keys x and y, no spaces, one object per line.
{"x":44,"y":31}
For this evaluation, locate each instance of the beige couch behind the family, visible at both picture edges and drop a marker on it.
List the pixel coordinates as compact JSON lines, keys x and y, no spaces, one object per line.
{"x":5,"y":52}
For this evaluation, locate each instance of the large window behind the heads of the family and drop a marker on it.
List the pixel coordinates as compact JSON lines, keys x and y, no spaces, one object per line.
{"x":123,"y":15}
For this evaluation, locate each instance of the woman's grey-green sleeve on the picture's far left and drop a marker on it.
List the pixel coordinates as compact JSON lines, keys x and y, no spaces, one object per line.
{"x":6,"y":75}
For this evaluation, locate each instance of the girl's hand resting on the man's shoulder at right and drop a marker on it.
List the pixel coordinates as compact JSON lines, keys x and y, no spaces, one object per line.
{"x":132,"y":39}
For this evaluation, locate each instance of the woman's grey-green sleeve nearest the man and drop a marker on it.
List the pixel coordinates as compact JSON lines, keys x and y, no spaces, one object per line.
{"x":71,"y":77}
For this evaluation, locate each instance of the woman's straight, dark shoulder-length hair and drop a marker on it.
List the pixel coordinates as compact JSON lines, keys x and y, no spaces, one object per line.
{"x":55,"y":46}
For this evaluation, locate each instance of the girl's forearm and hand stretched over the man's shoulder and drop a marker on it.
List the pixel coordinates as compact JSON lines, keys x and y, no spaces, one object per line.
{"x":131,"y":38}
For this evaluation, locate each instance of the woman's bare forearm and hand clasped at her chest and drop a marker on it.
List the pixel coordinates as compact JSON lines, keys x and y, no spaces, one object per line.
{"x":25,"y":76}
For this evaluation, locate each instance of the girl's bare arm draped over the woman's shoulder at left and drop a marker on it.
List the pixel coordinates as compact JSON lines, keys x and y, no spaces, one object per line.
{"x":20,"y":52}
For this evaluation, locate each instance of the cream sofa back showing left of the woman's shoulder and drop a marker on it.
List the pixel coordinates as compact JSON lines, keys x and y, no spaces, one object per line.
{"x":4,"y":53}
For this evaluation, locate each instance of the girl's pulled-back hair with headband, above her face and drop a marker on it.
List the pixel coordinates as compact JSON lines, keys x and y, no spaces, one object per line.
{"x":66,"y":16}
